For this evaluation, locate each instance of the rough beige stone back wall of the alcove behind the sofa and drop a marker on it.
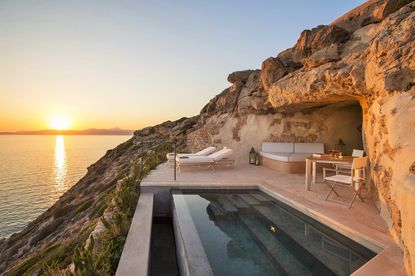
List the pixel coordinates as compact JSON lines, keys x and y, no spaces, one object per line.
{"x":241,"y":132}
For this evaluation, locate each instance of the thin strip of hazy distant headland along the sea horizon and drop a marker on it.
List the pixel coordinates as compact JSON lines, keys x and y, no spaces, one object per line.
{"x":90,"y":131}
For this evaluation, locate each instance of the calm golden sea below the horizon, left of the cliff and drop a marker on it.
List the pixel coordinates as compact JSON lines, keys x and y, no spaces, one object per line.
{"x":36,"y":170}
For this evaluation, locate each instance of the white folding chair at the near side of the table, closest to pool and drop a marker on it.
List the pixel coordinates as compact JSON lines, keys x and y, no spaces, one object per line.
{"x":355,"y":178}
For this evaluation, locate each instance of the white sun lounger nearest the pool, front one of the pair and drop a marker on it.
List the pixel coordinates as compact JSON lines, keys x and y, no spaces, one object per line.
{"x":218,"y":158}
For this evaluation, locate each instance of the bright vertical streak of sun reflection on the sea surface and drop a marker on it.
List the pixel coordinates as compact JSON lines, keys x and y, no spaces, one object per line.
{"x":60,"y":164}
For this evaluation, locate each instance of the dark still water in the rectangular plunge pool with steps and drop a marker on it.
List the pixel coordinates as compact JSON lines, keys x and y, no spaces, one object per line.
{"x":251,"y":233}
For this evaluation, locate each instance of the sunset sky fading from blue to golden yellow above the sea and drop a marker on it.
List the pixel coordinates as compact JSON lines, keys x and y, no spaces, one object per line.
{"x":130,"y":64}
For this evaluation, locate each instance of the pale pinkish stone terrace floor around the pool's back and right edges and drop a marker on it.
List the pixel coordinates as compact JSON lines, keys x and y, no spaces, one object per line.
{"x":362,"y":222}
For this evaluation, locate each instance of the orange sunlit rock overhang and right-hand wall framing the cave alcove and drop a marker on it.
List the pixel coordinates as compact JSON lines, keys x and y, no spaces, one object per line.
{"x":375,"y":65}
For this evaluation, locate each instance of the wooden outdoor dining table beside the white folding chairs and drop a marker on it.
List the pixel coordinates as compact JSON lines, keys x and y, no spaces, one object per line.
{"x":311,"y":166}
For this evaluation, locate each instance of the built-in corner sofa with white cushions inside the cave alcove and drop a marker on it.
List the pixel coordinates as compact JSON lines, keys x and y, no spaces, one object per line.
{"x":288,"y":157}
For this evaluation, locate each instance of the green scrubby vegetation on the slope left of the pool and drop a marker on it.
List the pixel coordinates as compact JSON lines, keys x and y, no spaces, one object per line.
{"x":98,"y":254}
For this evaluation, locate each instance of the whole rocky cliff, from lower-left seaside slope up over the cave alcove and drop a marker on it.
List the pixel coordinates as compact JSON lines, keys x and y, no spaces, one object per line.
{"x":352,"y":79}
